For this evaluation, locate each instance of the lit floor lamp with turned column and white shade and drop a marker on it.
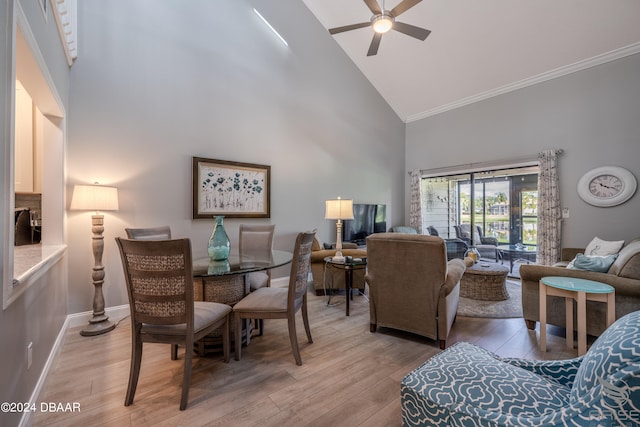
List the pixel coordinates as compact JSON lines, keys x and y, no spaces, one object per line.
{"x":96,"y":198}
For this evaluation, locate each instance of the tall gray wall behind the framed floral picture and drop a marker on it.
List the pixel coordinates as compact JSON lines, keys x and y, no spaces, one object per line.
{"x":156,"y":83}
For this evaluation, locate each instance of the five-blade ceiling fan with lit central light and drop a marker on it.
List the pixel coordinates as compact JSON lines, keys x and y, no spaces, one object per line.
{"x":383,"y":21}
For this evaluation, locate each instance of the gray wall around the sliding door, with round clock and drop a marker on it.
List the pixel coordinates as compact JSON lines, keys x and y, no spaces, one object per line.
{"x":593,"y":115}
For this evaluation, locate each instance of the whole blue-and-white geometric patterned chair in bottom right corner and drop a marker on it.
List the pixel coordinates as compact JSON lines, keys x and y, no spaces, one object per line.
{"x":466,"y":385}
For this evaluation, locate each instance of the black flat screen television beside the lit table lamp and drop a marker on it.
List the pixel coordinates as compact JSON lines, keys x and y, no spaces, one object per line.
{"x":367,"y":219}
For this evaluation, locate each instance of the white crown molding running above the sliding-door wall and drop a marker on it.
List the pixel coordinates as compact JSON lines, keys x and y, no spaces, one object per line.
{"x":558,"y":72}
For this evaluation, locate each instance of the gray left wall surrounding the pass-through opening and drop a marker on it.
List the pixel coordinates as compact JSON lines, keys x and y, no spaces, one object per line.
{"x":38,"y":314}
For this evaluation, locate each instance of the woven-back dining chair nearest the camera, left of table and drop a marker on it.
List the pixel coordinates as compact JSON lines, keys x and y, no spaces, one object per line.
{"x":160,"y":287}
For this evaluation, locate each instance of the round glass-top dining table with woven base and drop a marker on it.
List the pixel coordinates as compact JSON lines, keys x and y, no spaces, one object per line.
{"x":226,"y":282}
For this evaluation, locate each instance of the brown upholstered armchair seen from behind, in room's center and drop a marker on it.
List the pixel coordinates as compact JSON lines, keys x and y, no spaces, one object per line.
{"x":412,"y":286}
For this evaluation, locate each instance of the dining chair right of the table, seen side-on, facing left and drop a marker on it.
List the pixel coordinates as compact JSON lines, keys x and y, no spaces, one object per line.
{"x":281,"y":303}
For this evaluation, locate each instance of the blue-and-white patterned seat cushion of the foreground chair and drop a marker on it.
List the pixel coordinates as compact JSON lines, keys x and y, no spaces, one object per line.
{"x":466,"y":379}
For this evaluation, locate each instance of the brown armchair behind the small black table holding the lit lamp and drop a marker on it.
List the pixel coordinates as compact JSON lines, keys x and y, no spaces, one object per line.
{"x":335,"y":279}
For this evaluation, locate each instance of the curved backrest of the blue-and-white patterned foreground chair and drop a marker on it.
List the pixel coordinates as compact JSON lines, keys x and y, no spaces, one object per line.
{"x":617,"y":348}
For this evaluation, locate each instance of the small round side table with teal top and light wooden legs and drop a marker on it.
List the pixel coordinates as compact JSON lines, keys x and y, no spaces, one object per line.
{"x":580,"y":290}
